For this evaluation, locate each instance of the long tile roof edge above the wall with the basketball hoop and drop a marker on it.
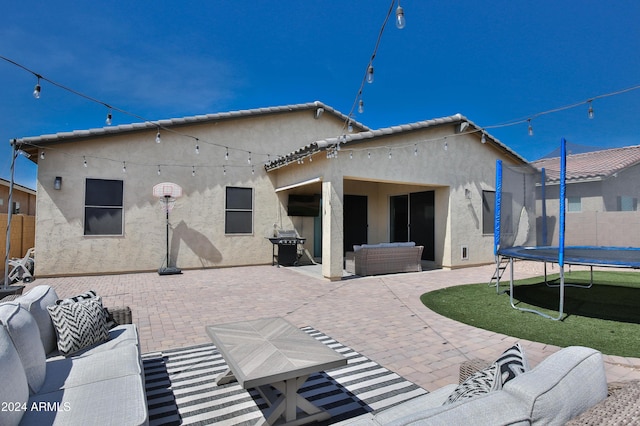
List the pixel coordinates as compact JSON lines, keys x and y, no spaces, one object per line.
{"x":123,"y":128}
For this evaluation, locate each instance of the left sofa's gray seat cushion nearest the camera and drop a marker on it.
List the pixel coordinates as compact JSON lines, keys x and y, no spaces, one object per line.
{"x":117,"y":402}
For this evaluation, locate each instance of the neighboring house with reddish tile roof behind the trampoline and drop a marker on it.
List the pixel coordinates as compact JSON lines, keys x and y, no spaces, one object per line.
{"x":601,"y":197}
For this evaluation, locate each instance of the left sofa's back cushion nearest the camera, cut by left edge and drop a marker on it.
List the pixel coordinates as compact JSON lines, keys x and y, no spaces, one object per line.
{"x":13,"y":382}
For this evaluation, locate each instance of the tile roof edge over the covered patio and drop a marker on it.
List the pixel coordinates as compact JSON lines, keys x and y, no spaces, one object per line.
{"x":353,"y":138}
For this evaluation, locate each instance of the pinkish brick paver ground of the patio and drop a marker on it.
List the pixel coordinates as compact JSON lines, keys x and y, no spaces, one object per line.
{"x":381,"y":317}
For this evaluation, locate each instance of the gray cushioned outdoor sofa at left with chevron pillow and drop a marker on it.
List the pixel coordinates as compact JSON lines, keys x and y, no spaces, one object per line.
{"x":51,"y":372}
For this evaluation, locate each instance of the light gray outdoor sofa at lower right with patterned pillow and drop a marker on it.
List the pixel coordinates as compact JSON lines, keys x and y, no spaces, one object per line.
{"x":561,"y":387}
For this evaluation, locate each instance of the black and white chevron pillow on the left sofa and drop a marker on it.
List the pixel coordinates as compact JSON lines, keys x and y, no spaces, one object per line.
{"x":79,"y":325}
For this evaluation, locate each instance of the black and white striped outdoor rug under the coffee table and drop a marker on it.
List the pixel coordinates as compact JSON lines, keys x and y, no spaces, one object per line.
{"x":181,"y":388}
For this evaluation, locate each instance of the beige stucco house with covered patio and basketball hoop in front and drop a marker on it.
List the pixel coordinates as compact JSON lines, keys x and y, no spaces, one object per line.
{"x":426,"y":182}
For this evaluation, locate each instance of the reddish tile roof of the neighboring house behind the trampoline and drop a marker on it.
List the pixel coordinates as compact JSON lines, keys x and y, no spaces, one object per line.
{"x":595,"y":165}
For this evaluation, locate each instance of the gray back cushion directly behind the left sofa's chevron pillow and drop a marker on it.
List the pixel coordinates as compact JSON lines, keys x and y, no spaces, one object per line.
{"x":36,"y":302}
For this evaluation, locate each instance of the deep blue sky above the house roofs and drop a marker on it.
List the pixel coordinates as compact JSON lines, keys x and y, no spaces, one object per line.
{"x":494,"y":62}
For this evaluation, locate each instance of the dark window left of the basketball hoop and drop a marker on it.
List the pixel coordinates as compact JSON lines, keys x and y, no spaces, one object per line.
{"x":103,"y":207}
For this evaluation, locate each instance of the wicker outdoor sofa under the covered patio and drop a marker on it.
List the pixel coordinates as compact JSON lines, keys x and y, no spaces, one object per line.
{"x":384,"y":258}
